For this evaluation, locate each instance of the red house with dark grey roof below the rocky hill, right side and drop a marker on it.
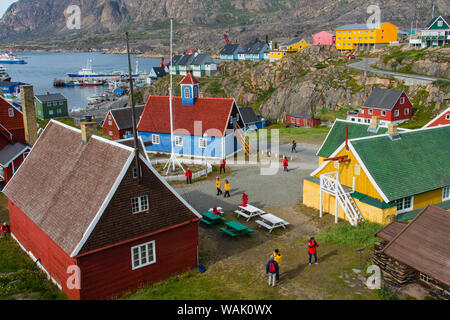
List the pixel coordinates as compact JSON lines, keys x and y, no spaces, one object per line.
{"x":392,"y":106}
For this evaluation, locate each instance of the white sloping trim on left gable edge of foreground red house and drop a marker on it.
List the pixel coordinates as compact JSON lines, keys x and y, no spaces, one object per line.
{"x":104,"y":205}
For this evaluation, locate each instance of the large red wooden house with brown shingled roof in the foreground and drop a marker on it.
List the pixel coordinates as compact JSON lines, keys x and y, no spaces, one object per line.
{"x":96,"y":224}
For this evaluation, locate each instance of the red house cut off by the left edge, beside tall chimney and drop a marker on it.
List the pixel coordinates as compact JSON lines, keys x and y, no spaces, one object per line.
{"x":13,"y":141}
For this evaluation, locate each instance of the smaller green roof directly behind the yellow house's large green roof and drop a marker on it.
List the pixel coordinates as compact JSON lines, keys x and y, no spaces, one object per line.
{"x":336,"y":136}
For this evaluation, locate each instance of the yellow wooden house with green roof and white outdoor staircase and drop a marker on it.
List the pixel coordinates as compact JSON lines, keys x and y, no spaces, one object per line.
{"x":383,"y":177}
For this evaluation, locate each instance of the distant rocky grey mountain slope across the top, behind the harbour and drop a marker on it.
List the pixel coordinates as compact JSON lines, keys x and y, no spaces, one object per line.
{"x":198,"y":24}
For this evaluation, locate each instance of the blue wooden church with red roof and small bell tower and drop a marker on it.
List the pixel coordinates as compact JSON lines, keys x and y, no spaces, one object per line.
{"x":203,"y":127}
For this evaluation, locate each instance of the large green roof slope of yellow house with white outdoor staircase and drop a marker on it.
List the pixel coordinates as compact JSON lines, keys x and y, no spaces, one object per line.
{"x":417,"y":162}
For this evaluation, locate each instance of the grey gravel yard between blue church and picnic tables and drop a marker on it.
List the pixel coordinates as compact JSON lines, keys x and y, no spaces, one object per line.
{"x":281,"y":189}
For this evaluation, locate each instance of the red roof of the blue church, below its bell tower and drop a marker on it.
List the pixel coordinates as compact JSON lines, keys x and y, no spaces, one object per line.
{"x":213,"y":113}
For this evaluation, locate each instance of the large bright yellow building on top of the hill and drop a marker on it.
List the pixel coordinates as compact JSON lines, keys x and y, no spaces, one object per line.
{"x":365,"y":37}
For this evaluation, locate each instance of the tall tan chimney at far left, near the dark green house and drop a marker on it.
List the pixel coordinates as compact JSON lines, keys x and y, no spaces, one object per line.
{"x":29,"y":114}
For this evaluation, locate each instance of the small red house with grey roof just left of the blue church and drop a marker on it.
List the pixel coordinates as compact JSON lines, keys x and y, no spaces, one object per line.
{"x":118,"y":122}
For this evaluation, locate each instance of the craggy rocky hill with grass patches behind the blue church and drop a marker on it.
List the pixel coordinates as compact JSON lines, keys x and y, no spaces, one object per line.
{"x":316,"y":80}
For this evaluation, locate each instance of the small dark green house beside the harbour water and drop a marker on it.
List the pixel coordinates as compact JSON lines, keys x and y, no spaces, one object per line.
{"x":51,"y":105}
